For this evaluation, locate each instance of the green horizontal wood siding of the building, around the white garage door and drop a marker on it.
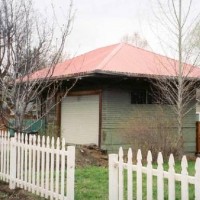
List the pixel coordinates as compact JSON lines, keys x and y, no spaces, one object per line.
{"x":120,"y":117}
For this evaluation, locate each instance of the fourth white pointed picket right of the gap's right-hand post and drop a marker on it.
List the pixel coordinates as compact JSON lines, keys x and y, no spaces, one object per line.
{"x":149,"y":176}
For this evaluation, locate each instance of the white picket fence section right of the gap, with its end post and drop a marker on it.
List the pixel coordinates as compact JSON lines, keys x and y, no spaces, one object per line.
{"x":137,"y":172}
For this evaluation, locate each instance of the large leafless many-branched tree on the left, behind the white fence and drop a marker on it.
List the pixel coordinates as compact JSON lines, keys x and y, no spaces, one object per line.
{"x":27,"y":43}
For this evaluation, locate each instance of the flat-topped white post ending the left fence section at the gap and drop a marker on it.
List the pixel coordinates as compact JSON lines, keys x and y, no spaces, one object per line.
{"x":70,"y":172}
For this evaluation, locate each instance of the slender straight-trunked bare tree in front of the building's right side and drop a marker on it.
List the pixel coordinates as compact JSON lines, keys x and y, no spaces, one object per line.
{"x":177,"y":83}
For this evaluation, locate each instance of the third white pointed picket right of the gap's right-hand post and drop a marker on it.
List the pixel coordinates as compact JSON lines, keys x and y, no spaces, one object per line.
{"x":139,"y":175}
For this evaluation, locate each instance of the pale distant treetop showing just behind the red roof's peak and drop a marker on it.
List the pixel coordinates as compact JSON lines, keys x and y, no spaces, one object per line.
{"x":135,"y":39}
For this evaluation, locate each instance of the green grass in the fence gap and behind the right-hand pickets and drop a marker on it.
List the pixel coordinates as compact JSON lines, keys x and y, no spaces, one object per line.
{"x":92,"y":183}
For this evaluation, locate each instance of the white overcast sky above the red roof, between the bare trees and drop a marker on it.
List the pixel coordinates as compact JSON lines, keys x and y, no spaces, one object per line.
{"x":103,"y":22}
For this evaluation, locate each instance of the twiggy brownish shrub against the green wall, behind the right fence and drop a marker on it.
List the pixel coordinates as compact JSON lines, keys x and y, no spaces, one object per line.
{"x":156,"y":133}
